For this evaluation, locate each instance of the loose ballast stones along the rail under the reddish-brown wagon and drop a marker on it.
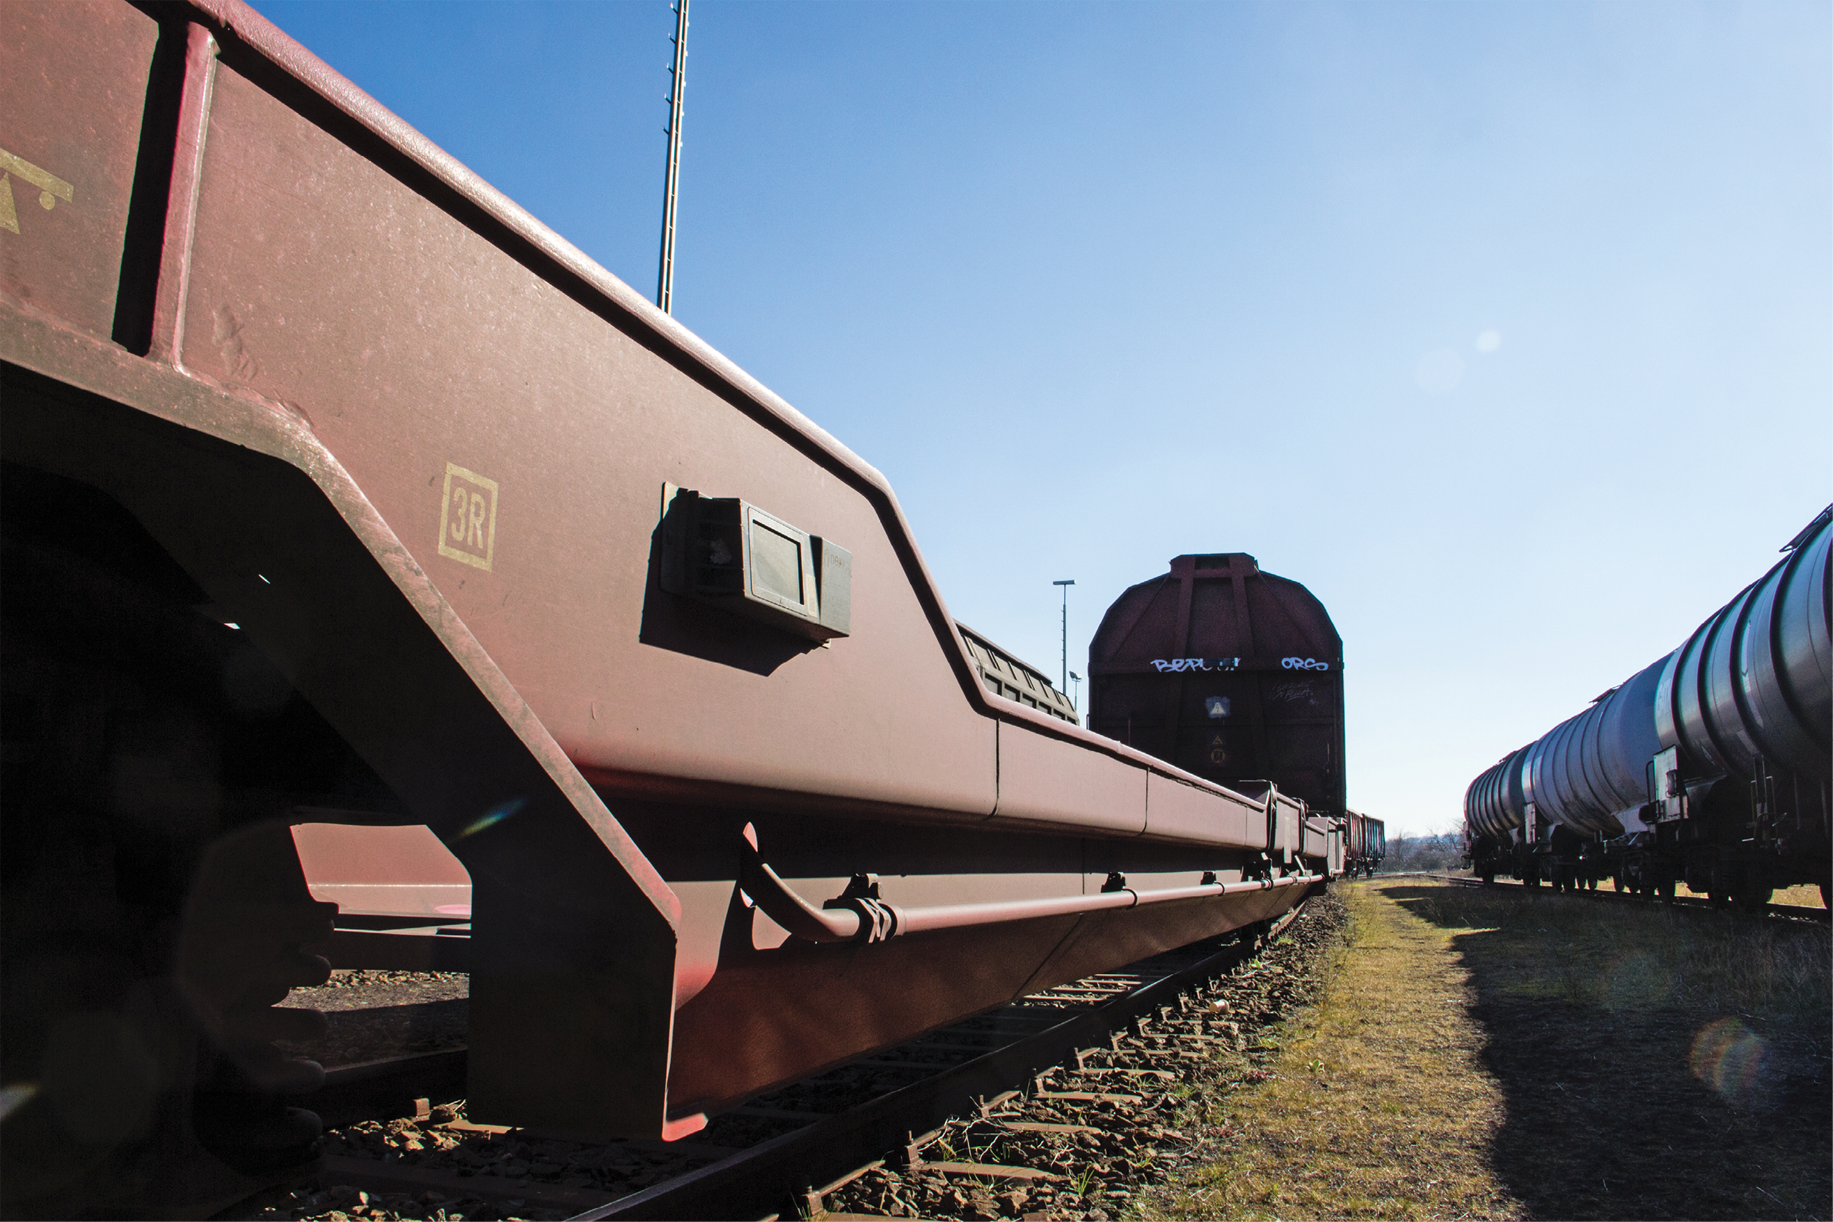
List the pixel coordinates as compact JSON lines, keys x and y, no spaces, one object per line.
{"x":1088,"y":1157}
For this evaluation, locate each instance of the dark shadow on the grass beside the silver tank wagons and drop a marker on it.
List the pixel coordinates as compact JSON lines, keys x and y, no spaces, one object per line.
{"x":1640,"y":1080}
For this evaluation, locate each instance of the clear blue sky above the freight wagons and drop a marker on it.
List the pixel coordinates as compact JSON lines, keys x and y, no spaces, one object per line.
{"x":1097,"y":285}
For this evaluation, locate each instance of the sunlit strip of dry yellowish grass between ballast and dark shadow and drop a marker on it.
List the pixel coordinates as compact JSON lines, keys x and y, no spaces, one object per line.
{"x":1377,"y":1106}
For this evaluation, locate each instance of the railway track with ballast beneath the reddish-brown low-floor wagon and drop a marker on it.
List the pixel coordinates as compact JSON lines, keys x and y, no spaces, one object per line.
{"x":1011,"y":1106}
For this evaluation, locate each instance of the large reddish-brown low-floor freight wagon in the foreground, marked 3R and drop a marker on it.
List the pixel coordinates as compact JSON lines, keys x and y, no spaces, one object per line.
{"x":336,"y":490}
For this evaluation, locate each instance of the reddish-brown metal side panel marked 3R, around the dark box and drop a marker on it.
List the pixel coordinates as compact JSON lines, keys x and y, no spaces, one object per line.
{"x":311,"y":243}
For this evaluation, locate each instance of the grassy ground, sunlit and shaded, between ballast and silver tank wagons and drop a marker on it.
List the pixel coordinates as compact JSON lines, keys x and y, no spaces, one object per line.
{"x":1506,"y":1054}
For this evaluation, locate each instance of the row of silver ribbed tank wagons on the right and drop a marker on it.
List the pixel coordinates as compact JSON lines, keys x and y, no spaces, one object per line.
{"x":1709,"y":767}
